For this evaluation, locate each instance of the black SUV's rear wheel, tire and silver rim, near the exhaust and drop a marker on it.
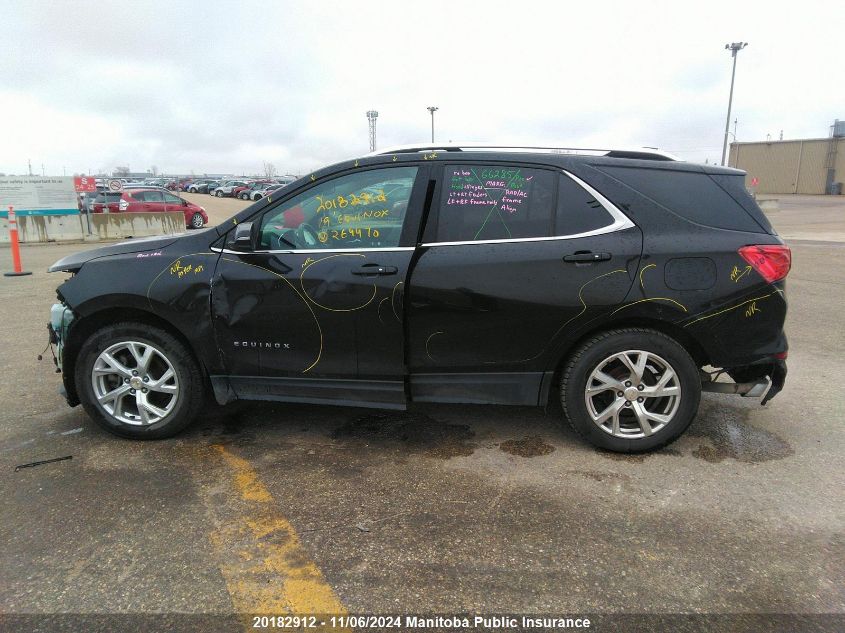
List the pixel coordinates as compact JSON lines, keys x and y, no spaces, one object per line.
{"x":618,"y":413}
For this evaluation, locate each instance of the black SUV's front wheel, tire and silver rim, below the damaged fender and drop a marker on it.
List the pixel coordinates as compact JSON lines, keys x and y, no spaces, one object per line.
{"x":165,"y":411}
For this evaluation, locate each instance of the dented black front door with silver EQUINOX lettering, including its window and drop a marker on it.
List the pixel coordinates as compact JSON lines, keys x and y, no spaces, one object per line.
{"x":315,"y":311}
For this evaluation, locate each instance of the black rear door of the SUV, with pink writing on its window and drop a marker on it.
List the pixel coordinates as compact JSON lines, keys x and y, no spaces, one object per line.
{"x":516,"y":258}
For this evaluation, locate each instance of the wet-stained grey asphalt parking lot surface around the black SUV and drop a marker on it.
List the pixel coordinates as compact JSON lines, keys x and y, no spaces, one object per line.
{"x":441,"y":509}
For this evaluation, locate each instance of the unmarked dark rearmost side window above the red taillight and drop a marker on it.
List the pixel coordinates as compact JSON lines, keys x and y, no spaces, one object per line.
{"x":691,"y":195}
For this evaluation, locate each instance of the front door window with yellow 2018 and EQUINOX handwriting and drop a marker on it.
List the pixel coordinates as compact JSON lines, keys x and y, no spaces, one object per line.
{"x":360,"y":210}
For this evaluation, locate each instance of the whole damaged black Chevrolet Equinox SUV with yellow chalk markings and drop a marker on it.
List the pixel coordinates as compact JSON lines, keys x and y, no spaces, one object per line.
{"x":623,"y":281}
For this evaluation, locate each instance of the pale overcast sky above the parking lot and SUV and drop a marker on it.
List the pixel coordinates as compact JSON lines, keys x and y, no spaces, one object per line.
{"x":223,"y":87}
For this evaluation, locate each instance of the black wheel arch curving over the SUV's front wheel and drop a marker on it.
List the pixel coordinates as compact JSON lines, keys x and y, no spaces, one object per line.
{"x":82,"y":330}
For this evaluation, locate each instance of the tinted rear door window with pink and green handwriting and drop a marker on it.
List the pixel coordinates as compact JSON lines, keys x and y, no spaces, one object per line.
{"x":494,"y":202}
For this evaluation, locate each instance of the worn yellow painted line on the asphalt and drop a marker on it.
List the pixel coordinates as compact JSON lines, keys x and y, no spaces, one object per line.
{"x":266,"y":568}
